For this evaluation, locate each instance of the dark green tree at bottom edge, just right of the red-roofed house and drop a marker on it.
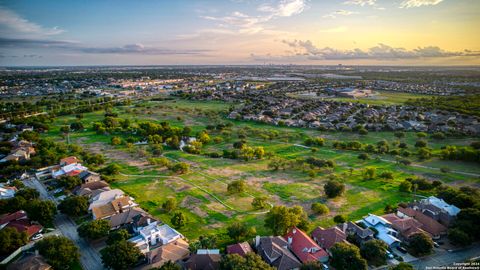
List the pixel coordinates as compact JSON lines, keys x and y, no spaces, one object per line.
{"x":346,"y":256}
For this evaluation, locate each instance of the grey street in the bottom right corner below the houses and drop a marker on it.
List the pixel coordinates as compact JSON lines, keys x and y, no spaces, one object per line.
{"x":445,"y":258}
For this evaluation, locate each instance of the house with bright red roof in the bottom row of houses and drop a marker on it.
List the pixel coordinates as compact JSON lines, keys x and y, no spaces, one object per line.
{"x":304,"y":247}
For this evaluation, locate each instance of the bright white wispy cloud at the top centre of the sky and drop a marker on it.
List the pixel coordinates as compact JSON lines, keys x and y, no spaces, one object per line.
{"x":251,"y":24}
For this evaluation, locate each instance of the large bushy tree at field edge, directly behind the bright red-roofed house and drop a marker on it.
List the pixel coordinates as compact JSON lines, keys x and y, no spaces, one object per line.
{"x":280,"y":218}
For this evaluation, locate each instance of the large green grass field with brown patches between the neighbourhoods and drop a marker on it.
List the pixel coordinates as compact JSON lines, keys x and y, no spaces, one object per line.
{"x":202,"y":193}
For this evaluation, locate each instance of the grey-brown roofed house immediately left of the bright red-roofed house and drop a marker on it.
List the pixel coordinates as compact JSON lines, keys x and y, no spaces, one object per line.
{"x":274,"y":250}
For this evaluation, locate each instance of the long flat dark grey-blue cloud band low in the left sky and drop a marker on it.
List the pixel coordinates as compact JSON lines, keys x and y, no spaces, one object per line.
{"x":77,"y":47}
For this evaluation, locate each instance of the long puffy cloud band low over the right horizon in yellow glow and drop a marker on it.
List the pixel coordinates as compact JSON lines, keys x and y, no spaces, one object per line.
{"x":380,"y":52}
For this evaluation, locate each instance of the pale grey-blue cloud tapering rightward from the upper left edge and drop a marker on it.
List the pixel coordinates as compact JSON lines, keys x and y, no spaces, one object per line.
{"x":12,"y":24}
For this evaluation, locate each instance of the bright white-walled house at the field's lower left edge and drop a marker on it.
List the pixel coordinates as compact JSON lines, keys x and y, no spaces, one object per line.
{"x":153,"y":235}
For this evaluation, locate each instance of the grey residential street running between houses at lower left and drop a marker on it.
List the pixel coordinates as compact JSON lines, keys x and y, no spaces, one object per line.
{"x":90,"y":258}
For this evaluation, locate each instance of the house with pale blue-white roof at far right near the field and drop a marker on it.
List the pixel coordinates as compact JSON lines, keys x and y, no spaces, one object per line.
{"x":437,"y":209}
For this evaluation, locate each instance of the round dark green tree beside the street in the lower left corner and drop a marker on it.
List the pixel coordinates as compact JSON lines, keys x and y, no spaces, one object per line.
{"x":59,"y":251}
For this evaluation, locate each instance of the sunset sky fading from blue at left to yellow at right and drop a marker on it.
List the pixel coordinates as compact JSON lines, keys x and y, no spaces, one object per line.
{"x":309,"y":32}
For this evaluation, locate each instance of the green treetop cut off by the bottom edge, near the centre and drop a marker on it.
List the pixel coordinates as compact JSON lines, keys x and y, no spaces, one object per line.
{"x":250,"y":261}
